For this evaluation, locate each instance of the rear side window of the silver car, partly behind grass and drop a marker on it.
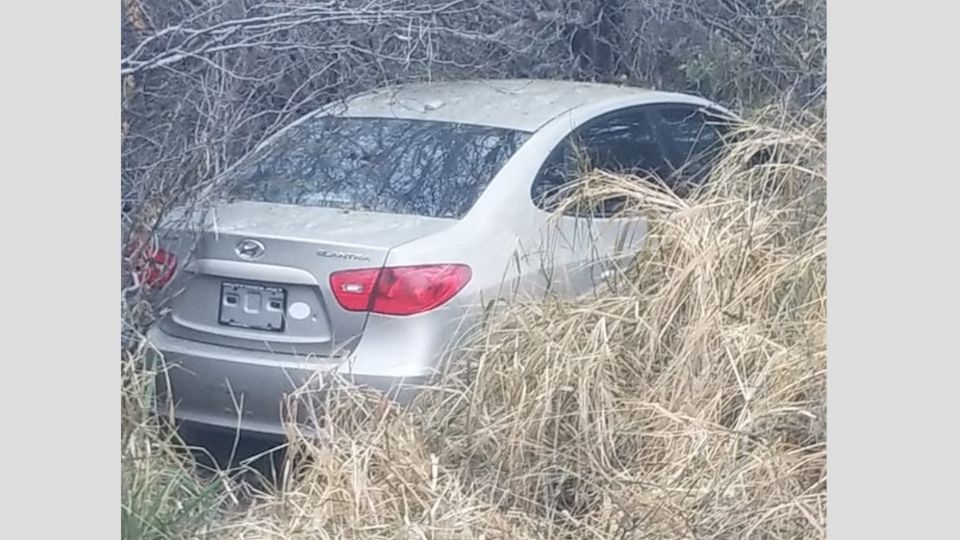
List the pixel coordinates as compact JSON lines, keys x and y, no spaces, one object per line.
{"x":622,"y":143}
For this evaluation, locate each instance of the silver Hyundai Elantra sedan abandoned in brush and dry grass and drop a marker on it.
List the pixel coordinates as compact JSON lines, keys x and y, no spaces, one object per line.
{"x":371,"y":235}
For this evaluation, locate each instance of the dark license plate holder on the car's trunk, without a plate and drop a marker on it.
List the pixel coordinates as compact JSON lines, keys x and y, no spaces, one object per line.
{"x":252,"y":306}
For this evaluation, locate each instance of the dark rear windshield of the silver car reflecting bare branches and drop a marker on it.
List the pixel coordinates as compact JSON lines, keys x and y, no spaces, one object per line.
{"x":426,"y":168}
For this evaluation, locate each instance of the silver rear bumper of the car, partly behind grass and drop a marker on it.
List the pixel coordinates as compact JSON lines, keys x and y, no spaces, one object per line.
{"x":248,"y":390}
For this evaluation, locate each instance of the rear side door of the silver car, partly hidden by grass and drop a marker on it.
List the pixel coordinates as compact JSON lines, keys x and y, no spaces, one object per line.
{"x":587,"y":244}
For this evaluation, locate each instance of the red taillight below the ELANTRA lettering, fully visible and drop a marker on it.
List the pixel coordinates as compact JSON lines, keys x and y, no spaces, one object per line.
{"x":399,"y":290}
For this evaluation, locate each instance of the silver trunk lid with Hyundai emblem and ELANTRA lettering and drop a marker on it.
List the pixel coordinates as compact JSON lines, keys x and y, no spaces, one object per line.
{"x":259,"y":275}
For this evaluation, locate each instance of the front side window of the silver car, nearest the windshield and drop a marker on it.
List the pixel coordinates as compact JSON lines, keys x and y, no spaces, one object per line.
{"x":693,"y":140}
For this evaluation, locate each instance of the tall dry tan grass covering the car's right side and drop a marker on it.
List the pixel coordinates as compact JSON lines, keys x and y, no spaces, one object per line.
{"x":688,"y":401}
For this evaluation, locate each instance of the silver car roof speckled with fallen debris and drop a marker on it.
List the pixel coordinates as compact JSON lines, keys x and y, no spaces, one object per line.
{"x":519,"y":104}
